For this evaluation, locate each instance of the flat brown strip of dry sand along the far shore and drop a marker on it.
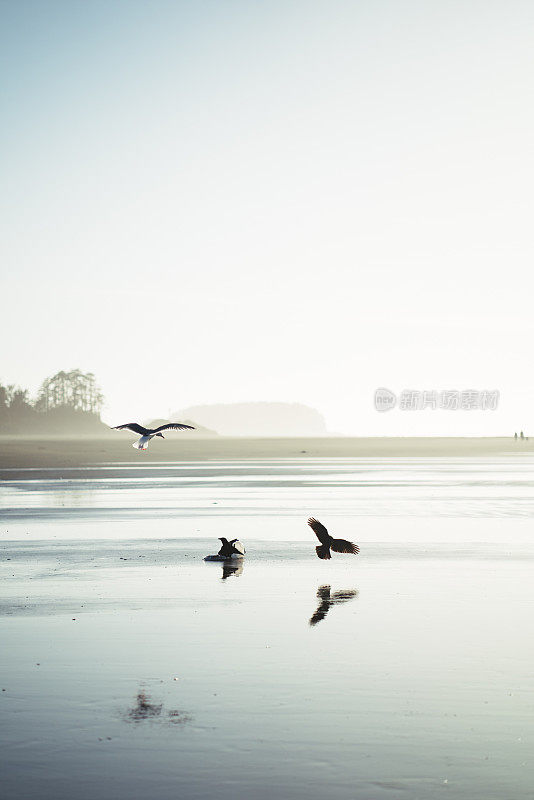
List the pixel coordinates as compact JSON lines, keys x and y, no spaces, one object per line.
{"x":42,"y":452}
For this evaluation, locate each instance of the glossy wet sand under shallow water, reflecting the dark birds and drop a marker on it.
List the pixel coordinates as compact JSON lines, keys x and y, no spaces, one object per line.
{"x":132,"y":668}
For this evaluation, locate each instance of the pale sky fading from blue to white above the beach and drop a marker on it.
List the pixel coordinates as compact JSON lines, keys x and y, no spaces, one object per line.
{"x":222,"y":202}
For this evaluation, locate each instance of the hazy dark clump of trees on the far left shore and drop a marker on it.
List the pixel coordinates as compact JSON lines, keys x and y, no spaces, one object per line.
{"x":65,"y":401}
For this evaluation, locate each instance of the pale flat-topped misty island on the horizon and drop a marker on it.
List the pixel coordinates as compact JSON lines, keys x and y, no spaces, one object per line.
{"x":257,"y":419}
